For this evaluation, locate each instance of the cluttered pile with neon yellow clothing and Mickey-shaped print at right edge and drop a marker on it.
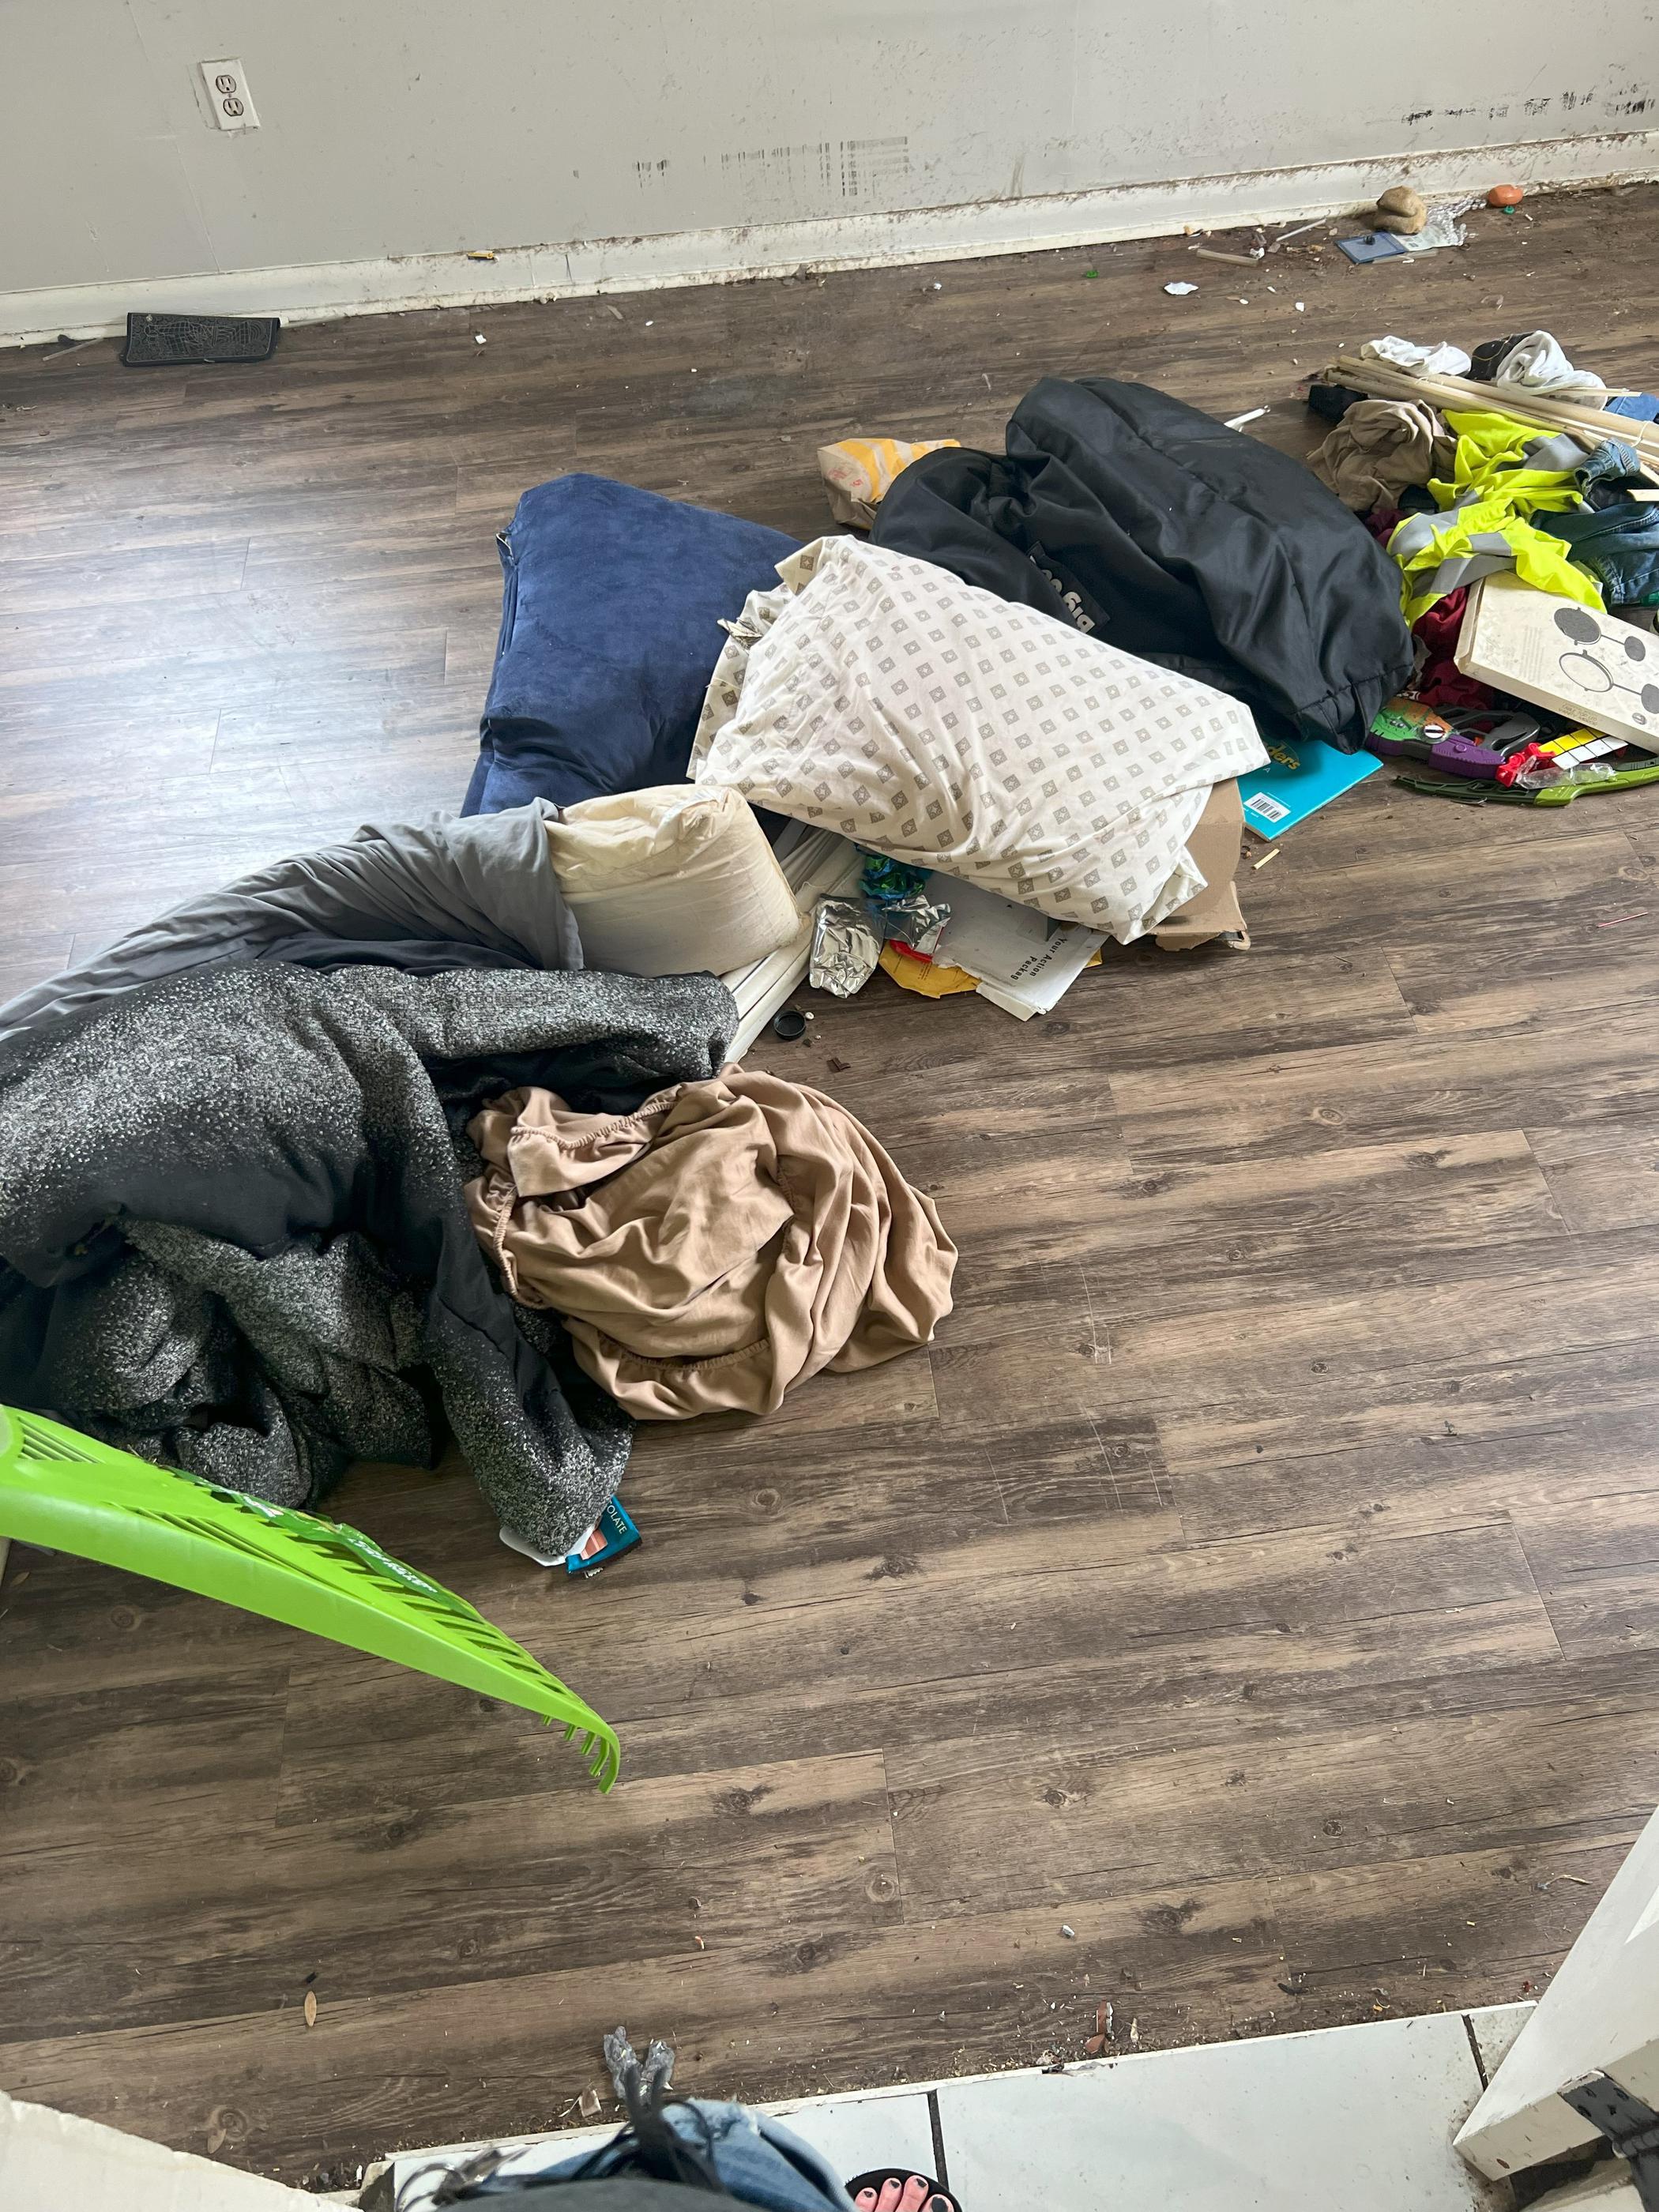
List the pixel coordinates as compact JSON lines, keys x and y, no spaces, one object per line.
{"x":1527,"y":543}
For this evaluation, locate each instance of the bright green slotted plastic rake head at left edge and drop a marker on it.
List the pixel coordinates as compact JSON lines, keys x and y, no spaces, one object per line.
{"x":67,"y":1492}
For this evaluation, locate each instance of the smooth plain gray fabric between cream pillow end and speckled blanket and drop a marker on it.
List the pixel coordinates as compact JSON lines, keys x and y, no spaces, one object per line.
{"x":419,"y":897}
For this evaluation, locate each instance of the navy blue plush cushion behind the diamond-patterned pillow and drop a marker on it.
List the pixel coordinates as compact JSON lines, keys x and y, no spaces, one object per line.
{"x":609,"y":636}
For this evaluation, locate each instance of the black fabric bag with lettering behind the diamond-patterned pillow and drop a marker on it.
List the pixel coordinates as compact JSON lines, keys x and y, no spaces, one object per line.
{"x":1171,"y":536}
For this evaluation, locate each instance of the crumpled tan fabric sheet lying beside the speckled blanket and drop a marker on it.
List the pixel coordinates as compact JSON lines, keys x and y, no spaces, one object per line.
{"x":716,"y":1249}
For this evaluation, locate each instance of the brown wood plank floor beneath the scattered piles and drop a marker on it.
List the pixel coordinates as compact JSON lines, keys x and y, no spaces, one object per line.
{"x":1251,"y":1609}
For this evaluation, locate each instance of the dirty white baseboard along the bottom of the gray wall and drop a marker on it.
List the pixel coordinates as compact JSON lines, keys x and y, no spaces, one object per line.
{"x":322,"y":291}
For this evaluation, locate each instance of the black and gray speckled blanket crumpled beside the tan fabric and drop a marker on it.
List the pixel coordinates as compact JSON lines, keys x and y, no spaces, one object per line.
{"x":233,"y":1231}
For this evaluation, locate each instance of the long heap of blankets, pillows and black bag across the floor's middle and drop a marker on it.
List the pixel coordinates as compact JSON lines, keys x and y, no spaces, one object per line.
{"x":444,"y":1131}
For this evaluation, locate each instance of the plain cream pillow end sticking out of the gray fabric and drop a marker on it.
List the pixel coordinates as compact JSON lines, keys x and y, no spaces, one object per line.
{"x":671,"y":881}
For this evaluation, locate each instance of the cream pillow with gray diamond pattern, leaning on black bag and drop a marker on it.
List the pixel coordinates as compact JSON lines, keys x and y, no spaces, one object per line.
{"x":932,"y":722}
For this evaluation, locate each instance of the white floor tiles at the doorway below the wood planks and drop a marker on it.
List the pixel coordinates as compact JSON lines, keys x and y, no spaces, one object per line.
{"x":1348,"y":2120}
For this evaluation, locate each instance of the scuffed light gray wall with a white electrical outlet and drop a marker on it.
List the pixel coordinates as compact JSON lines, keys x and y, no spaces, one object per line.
{"x":430,"y":127}
